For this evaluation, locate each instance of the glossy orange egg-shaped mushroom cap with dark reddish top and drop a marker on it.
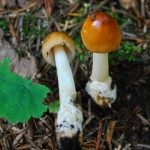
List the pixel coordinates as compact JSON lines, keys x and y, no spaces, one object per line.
{"x":100,"y":33}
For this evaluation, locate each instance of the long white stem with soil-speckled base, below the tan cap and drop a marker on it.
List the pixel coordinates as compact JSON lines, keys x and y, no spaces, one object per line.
{"x":69,"y":117}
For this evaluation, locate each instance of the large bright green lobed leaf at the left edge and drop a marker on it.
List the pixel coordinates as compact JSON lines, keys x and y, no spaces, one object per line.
{"x":20,"y":98}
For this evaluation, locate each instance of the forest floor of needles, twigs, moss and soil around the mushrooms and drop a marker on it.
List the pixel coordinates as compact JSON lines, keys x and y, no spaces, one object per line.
{"x":124,"y":126}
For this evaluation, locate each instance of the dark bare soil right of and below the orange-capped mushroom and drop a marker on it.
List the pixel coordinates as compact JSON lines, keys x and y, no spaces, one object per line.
{"x":130,"y":112}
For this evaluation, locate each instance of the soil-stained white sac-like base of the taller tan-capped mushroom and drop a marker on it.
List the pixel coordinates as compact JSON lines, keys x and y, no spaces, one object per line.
{"x":69,"y":123}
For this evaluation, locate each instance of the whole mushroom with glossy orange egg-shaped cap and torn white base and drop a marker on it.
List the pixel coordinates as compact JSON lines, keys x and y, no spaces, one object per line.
{"x":101,"y":34}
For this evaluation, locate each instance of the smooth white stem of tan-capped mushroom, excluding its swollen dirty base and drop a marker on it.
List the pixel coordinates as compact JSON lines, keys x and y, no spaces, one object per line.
{"x":64,"y":73}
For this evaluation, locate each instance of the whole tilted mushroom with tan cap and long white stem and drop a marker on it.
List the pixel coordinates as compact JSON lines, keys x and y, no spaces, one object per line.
{"x":59,"y":49}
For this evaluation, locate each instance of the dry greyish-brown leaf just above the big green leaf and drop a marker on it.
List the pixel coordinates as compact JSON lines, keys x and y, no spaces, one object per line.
{"x":25,"y":66}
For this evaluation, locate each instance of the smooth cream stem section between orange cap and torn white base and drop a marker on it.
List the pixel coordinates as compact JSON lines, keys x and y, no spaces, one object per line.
{"x":100,"y":69}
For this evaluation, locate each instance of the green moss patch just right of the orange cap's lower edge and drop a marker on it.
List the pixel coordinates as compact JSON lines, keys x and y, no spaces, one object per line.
{"x":127,"y":51}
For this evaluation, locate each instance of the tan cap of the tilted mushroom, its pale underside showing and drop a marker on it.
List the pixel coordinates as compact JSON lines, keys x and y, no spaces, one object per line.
{"x":57,"y":39}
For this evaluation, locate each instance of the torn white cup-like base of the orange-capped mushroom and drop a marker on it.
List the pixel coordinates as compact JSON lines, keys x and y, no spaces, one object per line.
{"x":101,"y":92}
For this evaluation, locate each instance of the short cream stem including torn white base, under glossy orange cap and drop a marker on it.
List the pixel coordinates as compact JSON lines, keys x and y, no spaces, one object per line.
{"x":99,"y":87}
